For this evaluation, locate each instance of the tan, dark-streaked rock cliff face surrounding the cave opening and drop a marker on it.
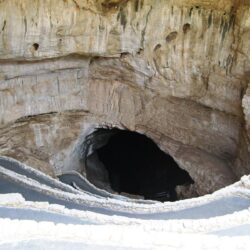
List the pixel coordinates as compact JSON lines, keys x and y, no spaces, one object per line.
{"x":177,"y":71}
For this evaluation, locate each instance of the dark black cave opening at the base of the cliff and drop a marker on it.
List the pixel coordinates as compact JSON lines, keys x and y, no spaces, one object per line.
{"x":131,"y":163}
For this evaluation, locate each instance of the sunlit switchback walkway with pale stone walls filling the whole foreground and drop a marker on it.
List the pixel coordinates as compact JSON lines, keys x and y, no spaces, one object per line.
{"x":52,"y":215}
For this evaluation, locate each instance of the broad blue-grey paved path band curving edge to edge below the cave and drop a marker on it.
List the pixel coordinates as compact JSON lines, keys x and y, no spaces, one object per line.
{"x":220,"y":207}
